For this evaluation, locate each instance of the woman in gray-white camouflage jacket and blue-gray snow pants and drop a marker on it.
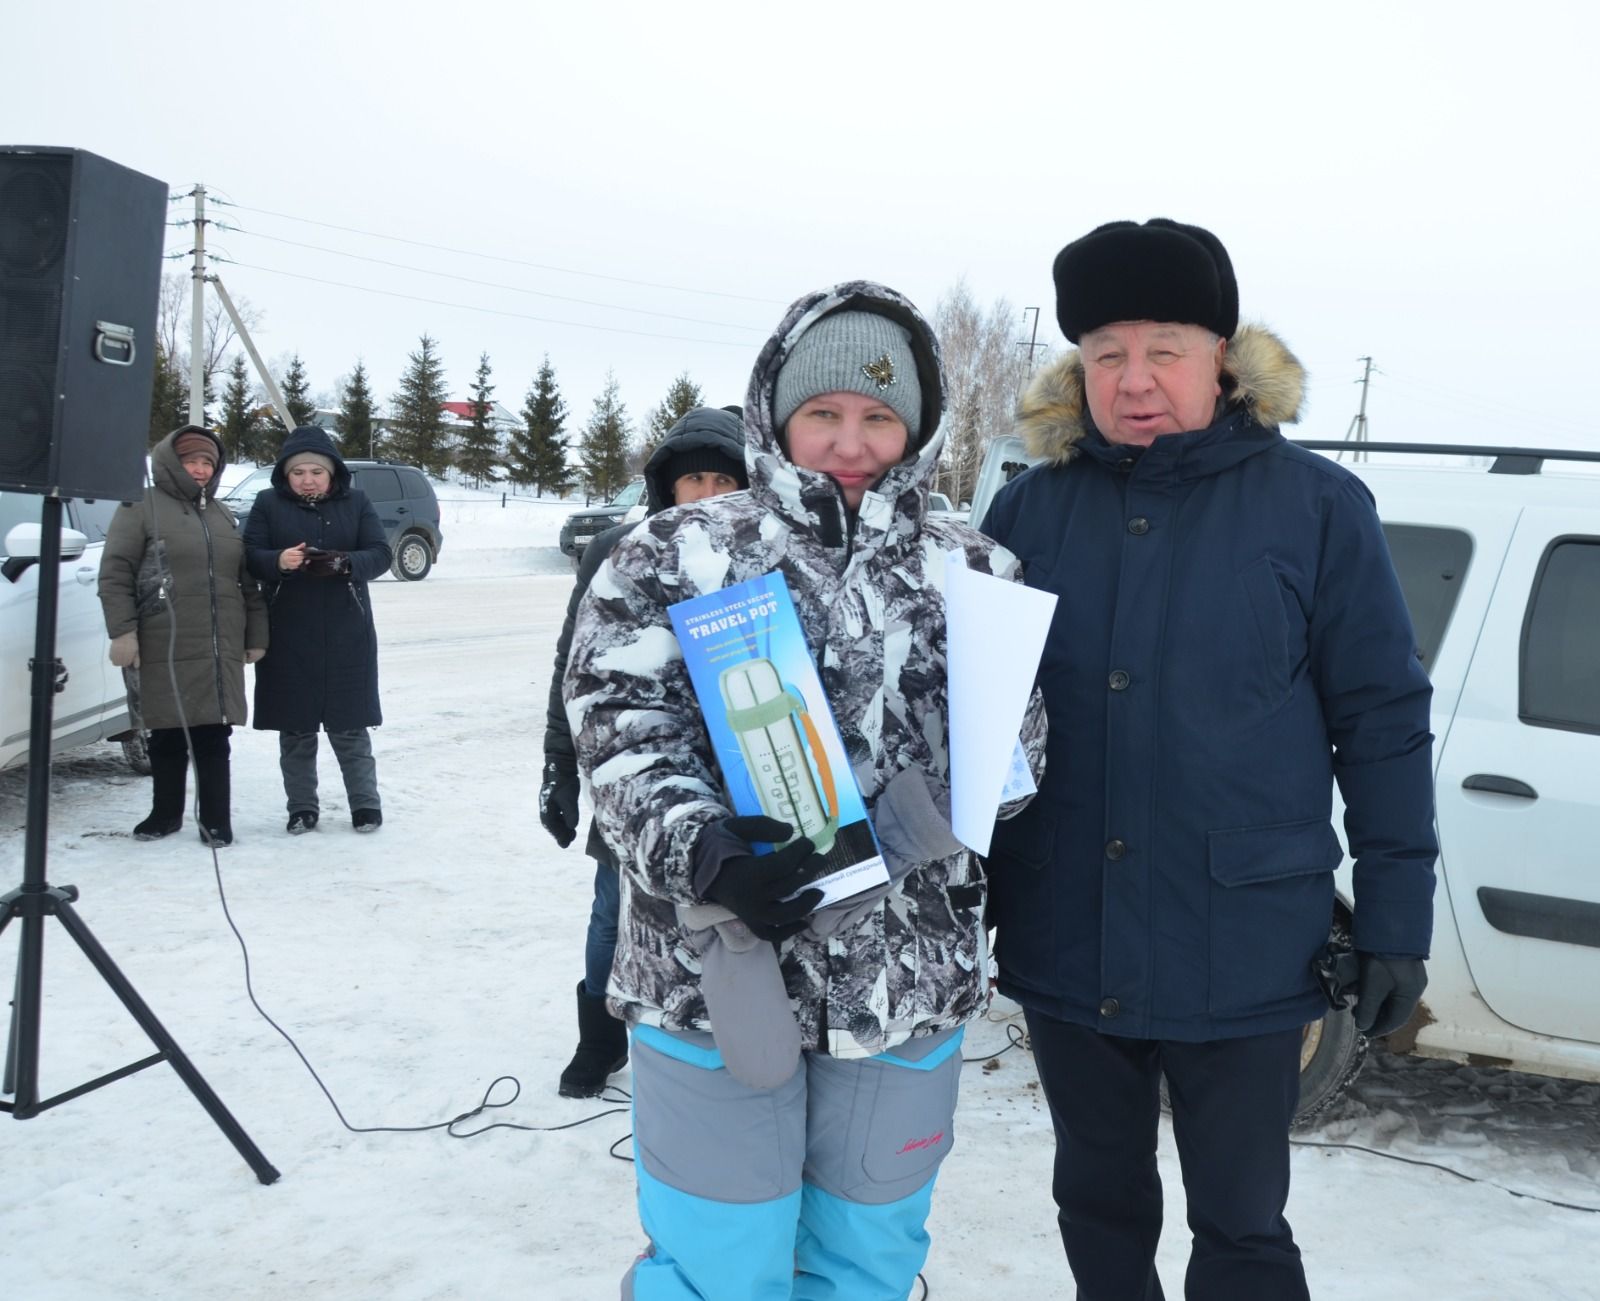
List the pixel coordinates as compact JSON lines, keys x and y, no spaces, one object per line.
{"x":794,"y":1076}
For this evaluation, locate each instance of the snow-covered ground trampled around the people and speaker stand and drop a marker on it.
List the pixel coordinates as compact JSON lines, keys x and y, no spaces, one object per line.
{"x":417,"y":966}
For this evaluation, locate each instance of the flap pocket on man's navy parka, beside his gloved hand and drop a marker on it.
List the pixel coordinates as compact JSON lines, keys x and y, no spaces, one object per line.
{"x":1271,"y":908}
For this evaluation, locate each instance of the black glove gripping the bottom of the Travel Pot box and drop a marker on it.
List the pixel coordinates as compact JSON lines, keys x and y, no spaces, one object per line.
{"x":756,"y":887}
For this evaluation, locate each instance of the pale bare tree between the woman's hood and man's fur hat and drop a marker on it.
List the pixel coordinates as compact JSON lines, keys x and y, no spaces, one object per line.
{"x":985,"y":370}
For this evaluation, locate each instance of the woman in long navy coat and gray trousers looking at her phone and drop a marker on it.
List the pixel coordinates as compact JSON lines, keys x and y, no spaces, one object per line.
{"x":314,"y":542}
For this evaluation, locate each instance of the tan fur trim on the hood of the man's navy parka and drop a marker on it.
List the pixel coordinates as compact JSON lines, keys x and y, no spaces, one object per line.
{"x":1258,"y":372}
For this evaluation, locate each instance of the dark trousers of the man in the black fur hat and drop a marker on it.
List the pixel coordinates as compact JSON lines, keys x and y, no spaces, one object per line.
{"x":1233,"y":1103}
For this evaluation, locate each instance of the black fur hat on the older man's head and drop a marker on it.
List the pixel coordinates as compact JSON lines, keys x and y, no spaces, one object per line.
{"x":1158,"y":271}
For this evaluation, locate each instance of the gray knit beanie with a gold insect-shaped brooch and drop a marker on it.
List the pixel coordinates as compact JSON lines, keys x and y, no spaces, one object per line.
{"x":852,"y":353}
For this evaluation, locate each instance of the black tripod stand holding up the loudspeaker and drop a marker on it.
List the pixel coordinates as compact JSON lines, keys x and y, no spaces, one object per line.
{"x":36,"y":900}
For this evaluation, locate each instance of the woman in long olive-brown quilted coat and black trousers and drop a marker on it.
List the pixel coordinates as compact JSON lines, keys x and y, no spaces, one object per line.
{"x":180,"y":601}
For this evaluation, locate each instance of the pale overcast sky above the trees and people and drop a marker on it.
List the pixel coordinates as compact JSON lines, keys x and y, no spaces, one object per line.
{"x":644,"y":188}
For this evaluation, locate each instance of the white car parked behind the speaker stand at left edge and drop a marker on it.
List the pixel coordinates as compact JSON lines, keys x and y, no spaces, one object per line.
{"x":94,"y":700}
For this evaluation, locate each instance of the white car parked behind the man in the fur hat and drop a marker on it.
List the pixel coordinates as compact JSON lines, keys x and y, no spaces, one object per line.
{"x":1502,"y":572}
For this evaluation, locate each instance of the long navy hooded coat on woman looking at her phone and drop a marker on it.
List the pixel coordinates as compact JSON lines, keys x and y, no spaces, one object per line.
{"x":326,"y":675}
